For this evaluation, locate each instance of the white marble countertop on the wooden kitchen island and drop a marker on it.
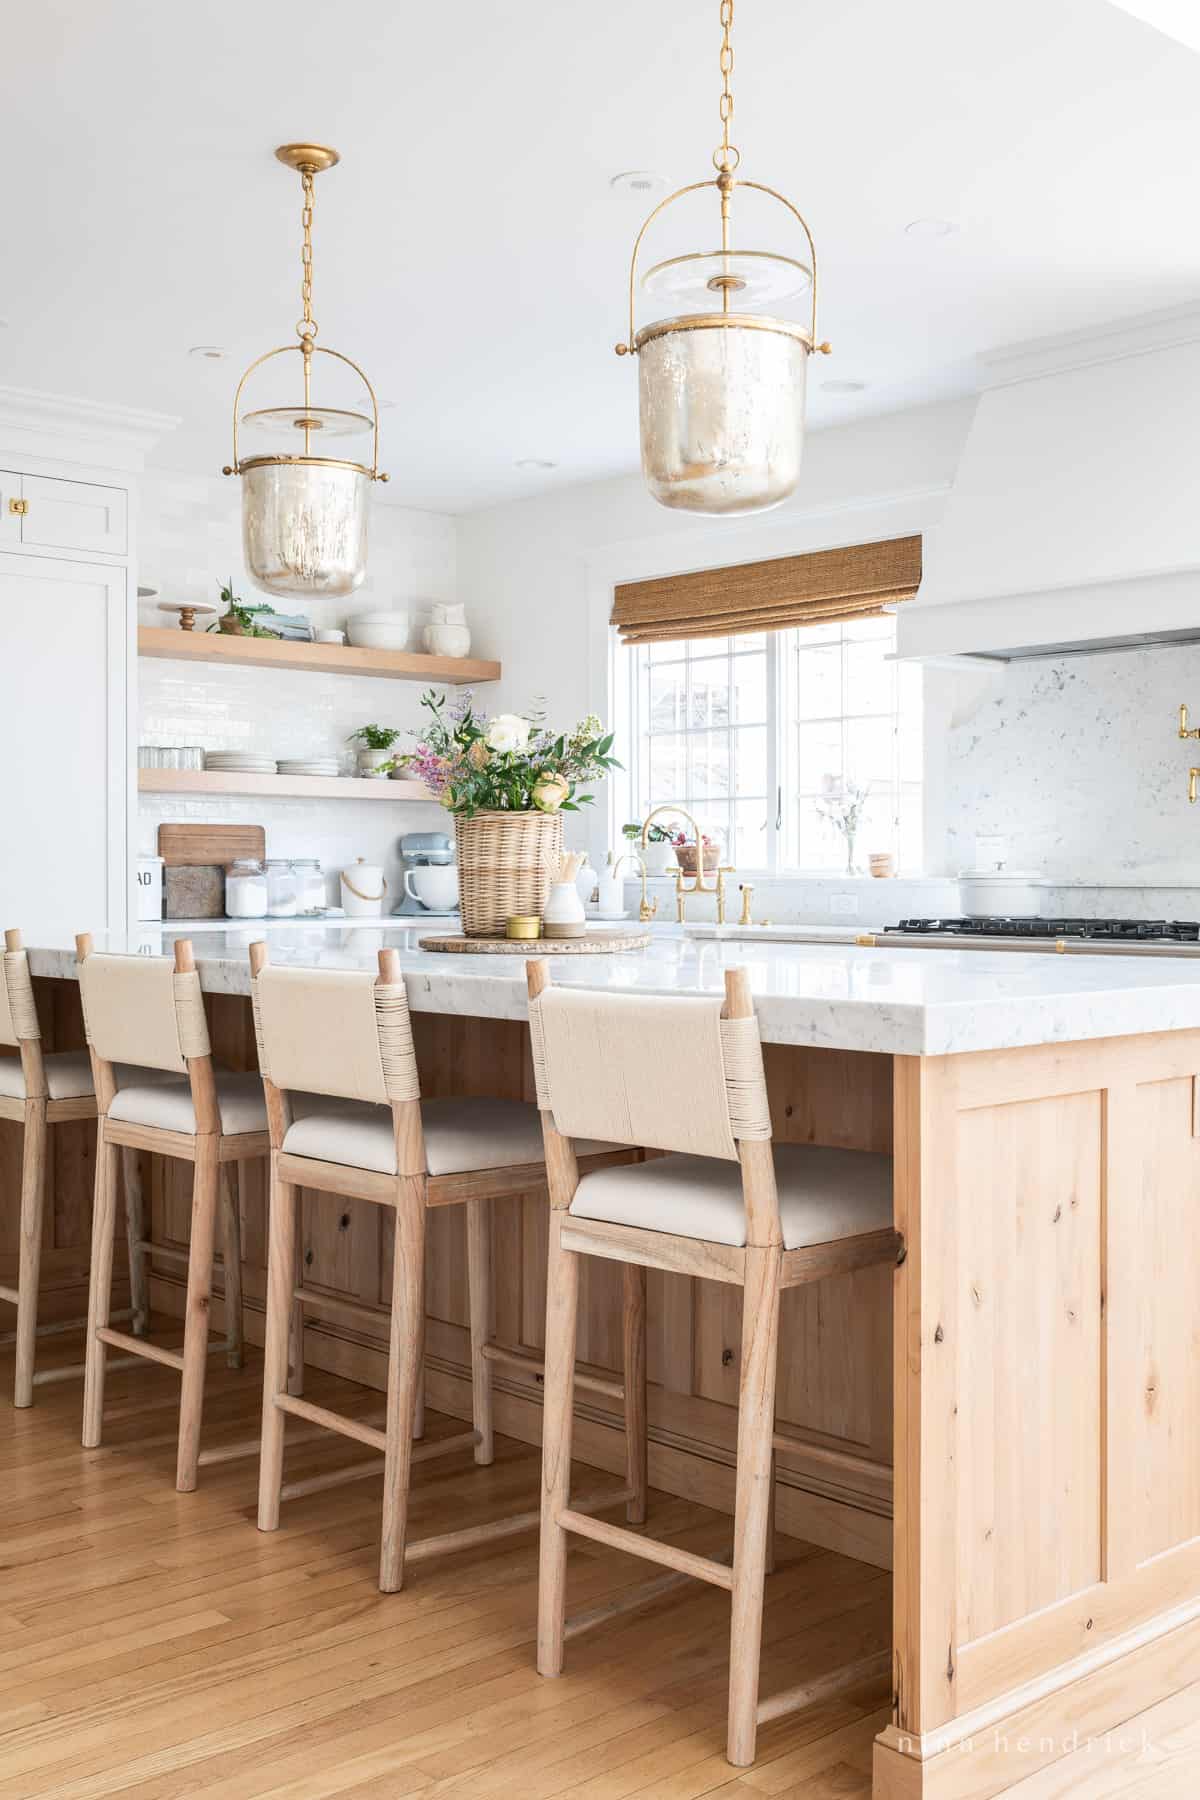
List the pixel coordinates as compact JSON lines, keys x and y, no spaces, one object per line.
{"x":839,"y":996}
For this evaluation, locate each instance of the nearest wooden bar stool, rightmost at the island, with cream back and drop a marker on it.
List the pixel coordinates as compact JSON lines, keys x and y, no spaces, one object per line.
{"x":686,"y":1075}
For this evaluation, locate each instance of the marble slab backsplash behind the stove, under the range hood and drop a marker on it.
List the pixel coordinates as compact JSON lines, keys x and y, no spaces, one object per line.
{"x":1079,"y":766}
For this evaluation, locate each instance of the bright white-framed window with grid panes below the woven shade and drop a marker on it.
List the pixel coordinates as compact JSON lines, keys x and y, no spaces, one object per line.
{"x":751,"y":733}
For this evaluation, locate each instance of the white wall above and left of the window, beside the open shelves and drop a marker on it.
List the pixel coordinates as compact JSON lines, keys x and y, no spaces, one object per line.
{"x":537,"y":577}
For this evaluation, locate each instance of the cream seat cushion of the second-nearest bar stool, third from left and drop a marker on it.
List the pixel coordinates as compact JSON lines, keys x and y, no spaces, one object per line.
{"x":460,"y":1135}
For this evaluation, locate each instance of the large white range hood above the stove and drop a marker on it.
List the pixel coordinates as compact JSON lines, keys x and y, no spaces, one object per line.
{"x":1075,"y":516}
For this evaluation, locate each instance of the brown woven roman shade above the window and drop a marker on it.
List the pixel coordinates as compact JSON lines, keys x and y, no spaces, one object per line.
{"x":825,"y":588}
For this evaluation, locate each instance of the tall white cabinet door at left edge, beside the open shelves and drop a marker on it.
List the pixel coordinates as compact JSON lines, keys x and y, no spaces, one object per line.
{"x":66,"y":633}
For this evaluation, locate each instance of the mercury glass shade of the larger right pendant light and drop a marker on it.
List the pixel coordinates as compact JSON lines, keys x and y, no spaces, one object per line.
{"x":722,"y":413}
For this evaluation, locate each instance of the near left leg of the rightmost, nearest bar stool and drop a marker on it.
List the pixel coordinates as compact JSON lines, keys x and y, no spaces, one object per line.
{"x":562,"y":1308}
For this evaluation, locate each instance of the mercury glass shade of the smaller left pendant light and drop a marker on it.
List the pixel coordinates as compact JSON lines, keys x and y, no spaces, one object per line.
{"x":305,"y":526}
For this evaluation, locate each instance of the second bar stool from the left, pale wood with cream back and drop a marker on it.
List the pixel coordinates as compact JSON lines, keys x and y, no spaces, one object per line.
{"x":152,"y":1011}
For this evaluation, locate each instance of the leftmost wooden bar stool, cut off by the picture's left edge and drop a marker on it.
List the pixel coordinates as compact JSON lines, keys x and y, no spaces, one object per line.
{"x":39,"y":1092}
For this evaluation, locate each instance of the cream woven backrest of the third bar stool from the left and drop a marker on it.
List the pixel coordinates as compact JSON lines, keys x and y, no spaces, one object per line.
{"x":336,"y":1032}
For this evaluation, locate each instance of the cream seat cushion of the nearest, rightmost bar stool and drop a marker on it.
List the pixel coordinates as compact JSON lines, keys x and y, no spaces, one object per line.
{"x":823,"y":1196}
